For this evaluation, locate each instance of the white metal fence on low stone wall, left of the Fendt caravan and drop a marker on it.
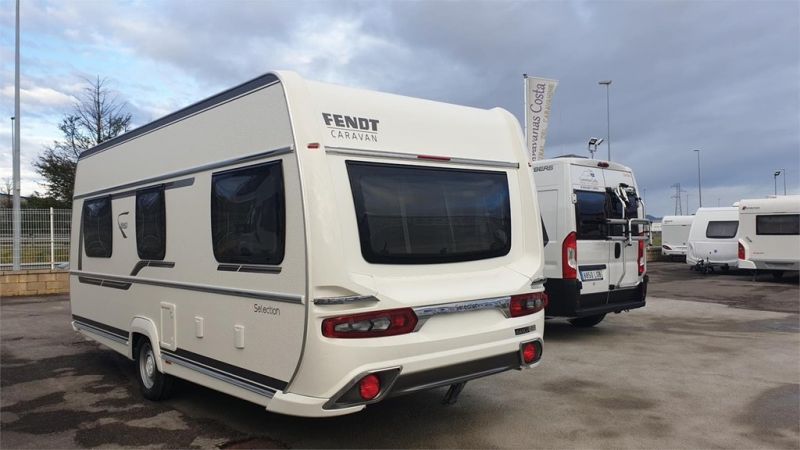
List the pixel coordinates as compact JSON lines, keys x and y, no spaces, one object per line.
{"x":45,"y":238}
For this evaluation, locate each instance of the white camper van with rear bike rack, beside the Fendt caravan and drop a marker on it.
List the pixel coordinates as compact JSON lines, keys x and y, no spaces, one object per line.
{"x":596,"y":234}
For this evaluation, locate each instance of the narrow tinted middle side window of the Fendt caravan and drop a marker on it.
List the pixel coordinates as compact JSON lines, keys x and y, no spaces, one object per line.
{"x":151,"y":223}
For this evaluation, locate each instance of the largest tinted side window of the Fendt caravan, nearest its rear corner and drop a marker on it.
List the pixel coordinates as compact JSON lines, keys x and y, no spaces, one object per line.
{"x":248,"y":215}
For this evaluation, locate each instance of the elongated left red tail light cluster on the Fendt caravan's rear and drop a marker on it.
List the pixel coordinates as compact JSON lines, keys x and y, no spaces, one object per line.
{"x":390,"y":322}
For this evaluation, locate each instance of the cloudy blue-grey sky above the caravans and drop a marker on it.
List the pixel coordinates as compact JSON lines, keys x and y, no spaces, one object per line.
{"x":719,"y":76}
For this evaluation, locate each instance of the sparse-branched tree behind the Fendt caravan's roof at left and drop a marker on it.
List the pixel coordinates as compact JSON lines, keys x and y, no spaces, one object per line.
{"x":97,"y":116}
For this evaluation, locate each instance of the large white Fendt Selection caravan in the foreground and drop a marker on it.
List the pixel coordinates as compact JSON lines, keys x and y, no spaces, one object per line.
{"x":311,"y":248}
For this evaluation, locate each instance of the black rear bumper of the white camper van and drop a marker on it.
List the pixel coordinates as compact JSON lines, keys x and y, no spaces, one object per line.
{"x":566,"y":299}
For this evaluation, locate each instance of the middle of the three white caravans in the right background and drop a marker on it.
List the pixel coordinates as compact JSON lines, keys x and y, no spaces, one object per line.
{"x":712,"y":239}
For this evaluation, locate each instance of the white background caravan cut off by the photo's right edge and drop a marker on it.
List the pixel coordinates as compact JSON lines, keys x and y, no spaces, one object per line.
{"x":769,"y":234}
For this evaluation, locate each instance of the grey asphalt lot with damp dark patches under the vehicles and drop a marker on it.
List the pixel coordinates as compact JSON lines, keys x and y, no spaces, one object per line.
{"x":711,"y":361}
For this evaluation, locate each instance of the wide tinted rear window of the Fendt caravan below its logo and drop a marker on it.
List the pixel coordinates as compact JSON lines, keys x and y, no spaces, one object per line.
{"x":424,"y":215}
